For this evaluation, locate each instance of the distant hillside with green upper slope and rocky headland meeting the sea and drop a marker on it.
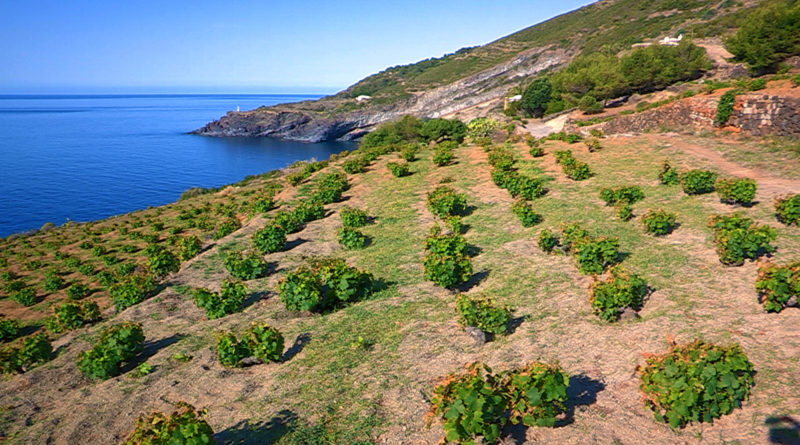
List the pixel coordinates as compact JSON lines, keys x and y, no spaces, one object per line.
{"x":440,"y":86}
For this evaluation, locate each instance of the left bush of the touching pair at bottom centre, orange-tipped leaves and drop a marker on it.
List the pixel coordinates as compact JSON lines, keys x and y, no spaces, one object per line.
{"x":470,"y":405}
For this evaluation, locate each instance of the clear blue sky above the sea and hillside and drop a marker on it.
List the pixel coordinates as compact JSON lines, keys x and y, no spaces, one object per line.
{"x":236,"y":45}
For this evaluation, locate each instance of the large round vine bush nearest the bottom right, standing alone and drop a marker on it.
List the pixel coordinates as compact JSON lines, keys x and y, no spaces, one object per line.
{"x":696,"y":382}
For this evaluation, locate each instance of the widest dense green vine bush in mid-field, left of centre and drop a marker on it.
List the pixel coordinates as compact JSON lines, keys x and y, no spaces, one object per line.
{"x":324,"y":285}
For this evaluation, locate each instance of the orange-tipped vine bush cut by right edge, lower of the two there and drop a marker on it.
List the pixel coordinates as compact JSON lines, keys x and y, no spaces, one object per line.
{"x":778,"y":285}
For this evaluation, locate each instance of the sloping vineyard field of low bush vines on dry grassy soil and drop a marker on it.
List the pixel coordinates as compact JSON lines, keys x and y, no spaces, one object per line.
{"x":362,"y":364}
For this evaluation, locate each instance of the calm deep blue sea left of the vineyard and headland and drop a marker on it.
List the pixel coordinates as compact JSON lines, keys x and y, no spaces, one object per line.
{"x":88,"y":157}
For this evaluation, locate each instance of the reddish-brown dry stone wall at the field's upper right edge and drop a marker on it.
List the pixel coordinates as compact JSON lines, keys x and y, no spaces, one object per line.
{"x":753,"y":113}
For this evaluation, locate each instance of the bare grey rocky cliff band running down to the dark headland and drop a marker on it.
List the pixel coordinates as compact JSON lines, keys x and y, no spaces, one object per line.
{"x":317,"y":121}
